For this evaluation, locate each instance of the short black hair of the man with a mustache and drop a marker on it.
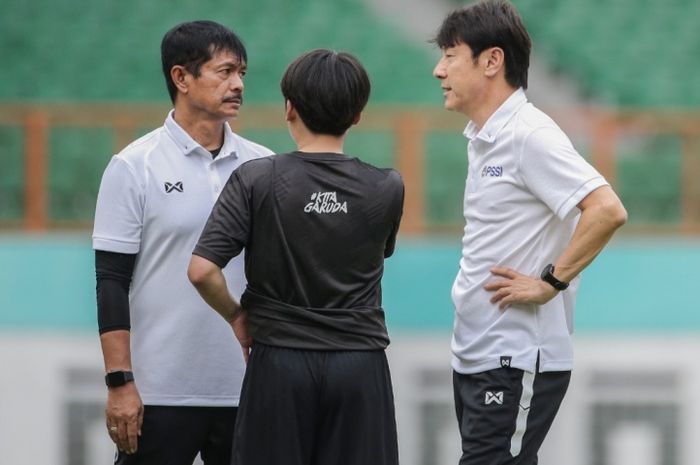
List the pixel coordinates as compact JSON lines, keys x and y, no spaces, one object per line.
{"x":192,"y":44}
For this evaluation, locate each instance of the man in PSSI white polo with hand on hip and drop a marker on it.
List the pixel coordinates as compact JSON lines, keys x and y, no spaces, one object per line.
{"x":536,"y":215}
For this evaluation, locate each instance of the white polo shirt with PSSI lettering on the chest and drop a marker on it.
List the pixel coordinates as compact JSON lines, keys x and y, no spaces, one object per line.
{"x":524,"y":182}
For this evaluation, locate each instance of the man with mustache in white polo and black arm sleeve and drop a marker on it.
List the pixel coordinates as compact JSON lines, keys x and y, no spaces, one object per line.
{"x":162,"y":345}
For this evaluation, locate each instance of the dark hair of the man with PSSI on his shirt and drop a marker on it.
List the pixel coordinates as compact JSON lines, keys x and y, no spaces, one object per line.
{"x":490,"y":23}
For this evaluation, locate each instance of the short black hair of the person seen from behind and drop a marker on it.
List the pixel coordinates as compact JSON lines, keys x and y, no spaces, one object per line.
{"x":328,"y":89}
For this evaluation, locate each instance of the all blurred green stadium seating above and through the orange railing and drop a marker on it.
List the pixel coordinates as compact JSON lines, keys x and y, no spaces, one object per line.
{"x":619,"y":52}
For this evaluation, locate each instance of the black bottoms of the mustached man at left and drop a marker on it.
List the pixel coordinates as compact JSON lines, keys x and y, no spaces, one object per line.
{"x":175,"y":435}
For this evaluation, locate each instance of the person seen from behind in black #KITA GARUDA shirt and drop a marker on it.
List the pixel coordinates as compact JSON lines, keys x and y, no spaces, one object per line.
{"x":316,"y":226}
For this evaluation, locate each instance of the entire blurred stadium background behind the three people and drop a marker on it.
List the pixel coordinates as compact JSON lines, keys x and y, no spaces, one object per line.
{"x":622,"y":78}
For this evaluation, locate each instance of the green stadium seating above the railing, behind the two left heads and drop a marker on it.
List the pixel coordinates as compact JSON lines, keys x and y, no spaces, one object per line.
{"x":103,"y":50}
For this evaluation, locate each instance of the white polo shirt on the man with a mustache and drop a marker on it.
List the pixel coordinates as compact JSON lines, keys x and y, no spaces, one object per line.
{"x":154,"y":199}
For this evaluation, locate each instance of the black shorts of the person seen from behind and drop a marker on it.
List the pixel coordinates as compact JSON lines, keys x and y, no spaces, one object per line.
{"x":306,"y":407}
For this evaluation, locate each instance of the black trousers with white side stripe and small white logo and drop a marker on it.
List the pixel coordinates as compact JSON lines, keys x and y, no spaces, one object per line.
{"x":505,"y":414}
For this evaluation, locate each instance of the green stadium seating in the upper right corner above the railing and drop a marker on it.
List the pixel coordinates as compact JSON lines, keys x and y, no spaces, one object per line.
{"x":622,"y":52}
